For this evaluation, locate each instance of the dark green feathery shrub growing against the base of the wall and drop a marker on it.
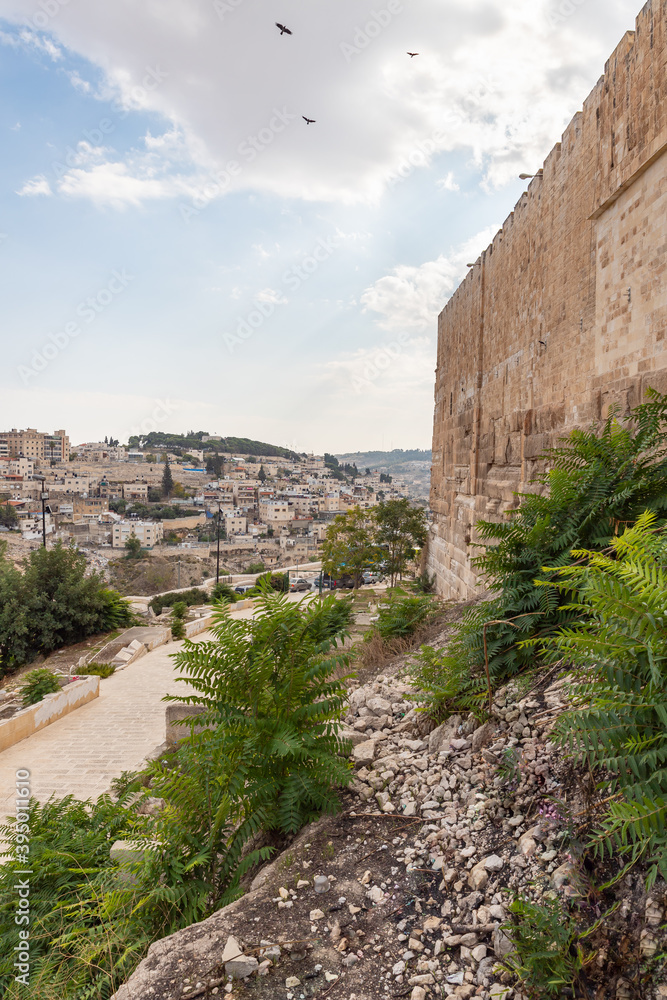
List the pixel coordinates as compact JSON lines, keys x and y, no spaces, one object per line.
{"x":598,"y":480}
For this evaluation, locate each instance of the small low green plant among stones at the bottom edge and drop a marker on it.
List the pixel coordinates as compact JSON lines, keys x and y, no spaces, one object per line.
{"x":548,"y":957}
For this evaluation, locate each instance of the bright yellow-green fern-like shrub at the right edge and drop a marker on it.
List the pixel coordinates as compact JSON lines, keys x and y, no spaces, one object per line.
{"x":618,"y":647}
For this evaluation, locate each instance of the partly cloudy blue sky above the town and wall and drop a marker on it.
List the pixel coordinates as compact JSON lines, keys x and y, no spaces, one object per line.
{"x":180,"y":250}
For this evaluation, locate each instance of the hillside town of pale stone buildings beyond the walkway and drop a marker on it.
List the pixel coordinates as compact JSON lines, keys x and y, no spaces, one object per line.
{"x":272,"y":509}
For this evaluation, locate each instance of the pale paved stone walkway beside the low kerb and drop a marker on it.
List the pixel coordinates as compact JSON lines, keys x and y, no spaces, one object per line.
{"x":81,"y":753}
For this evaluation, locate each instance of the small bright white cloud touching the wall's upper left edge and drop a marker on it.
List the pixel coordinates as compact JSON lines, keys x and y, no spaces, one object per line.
{"x":411,"y":297}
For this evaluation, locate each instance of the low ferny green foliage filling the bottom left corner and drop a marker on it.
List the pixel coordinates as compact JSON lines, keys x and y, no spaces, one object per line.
{"x":90,"y":924}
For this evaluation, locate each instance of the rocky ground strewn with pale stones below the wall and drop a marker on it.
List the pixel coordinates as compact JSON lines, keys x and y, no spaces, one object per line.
{"x":404,"y":893}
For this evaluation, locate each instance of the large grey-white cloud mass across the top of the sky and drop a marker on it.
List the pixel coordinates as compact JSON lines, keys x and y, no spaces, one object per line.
{"x":493,"y":79}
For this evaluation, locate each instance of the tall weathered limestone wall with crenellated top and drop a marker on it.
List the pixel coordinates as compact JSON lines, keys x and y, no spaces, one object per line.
{"x":565,"y":313}
